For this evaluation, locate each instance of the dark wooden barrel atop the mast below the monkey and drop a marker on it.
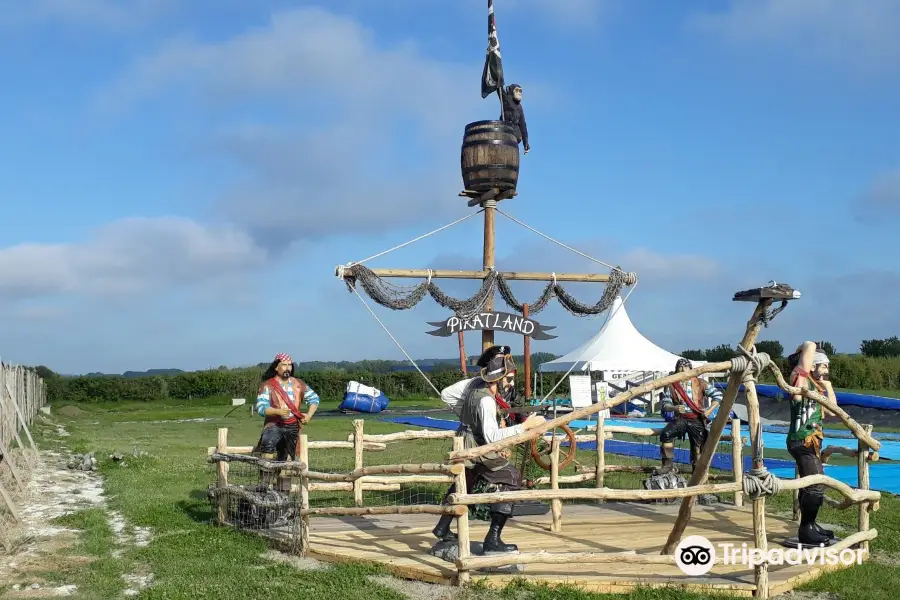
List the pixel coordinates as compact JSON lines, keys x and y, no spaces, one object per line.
{"x":490,"y":156}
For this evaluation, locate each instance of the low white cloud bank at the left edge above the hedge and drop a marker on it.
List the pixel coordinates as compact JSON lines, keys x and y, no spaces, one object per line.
{"x":127,"y":257}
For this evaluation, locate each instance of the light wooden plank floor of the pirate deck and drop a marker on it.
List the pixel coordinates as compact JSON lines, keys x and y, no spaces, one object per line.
{"x":402,"y":543}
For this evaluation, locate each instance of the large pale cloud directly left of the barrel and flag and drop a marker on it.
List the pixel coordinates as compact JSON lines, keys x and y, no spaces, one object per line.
{"x":359,"y":135}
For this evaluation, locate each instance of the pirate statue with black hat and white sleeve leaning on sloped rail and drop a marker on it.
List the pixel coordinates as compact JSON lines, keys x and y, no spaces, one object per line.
{"x":481,"y":423}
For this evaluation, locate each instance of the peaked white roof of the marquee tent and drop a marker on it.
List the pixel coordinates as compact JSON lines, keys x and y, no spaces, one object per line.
{"x":618,"y":348}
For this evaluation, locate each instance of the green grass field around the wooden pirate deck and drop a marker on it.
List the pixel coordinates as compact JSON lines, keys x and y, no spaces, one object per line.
{"x":191,"y":559}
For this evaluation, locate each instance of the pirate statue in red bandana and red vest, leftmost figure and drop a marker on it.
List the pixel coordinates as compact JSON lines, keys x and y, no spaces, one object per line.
{"x":279,"y":400}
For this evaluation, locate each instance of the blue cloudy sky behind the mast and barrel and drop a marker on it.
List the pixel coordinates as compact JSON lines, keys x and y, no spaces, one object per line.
{"x":178,"y":181}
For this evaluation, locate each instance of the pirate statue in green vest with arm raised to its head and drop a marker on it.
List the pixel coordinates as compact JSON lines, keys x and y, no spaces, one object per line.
{"x":810,"y":367}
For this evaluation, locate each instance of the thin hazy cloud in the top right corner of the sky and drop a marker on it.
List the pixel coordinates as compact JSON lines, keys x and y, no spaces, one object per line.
{"x":861,"y":35}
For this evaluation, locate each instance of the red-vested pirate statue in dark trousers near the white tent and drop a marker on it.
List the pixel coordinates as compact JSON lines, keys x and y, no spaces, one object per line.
{"x":686,"y":399}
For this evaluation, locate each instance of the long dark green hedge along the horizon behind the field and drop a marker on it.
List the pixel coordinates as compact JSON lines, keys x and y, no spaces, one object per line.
{"x":853,"y":372}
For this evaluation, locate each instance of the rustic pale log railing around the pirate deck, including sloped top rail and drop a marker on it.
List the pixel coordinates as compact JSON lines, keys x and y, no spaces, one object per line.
{"x":737,"y":483}
